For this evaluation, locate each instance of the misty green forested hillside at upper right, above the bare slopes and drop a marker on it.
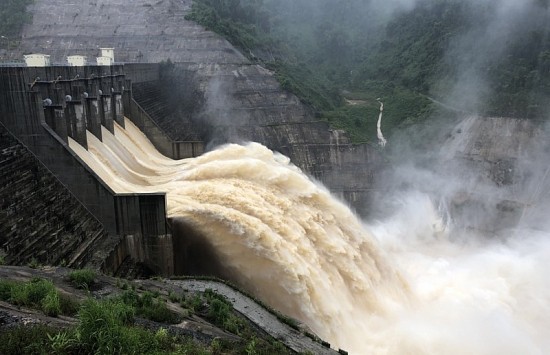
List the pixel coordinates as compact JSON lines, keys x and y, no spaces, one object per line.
{"x":489,"y":56}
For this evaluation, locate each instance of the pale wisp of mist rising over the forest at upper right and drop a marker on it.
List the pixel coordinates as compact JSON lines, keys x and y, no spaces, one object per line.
{"x":495,"y":26}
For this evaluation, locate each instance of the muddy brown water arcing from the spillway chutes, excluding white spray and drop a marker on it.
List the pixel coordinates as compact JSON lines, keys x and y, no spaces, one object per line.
{"x":299,"y":249}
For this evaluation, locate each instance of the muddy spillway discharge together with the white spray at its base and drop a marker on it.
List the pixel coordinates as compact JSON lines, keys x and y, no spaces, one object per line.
{"x":409,"y":290}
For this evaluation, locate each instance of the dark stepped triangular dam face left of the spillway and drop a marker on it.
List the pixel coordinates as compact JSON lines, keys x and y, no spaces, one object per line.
{"x":39,"y":218}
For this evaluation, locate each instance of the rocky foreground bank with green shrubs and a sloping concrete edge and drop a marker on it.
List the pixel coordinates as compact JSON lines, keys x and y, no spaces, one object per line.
{"x":63,"y":311}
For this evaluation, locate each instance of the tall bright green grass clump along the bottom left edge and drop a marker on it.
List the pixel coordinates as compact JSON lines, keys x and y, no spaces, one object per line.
{"x":104,"y":327}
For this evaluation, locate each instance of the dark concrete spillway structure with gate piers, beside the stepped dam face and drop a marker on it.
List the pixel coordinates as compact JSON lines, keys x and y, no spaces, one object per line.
{"x":45,"y":107}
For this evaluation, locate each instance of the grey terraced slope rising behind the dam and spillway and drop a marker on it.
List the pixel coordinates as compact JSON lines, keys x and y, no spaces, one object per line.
{"x":213,"y":94}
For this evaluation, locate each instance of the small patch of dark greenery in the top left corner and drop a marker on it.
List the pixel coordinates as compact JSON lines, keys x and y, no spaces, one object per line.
{"x":13,"y":15}
